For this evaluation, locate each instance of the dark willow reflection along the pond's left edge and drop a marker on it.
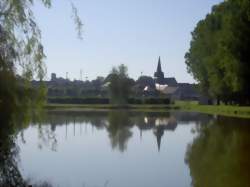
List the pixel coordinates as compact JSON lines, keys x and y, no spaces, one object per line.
{"x":11,"y":123}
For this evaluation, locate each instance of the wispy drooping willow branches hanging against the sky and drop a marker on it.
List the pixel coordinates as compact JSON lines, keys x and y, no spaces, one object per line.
{"x":20,"y":31}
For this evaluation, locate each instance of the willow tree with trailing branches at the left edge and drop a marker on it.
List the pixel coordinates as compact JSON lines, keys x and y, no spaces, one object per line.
{"x":21,"y":48}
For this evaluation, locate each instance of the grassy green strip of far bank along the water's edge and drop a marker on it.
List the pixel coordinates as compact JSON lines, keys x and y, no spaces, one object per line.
{"x":233,"y":111}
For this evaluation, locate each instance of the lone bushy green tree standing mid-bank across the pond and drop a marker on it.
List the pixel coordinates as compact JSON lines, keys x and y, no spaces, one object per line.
{"x":120,"y":85}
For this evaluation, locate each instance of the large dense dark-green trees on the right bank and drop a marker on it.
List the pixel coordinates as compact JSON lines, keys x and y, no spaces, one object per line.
{"x":219,"y":55}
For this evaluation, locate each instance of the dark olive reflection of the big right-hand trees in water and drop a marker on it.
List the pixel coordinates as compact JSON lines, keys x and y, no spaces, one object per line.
{"x":219,"y":155}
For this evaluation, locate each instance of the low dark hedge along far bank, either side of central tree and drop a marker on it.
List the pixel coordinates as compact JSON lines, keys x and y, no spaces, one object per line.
{"x":76,"y":100}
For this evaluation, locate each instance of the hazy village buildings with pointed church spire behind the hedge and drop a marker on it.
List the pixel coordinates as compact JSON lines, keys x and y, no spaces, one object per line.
{"x":145,"y":86}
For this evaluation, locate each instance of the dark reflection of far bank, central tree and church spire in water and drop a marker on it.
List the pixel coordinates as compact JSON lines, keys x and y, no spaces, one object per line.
{"x":118,"y":124}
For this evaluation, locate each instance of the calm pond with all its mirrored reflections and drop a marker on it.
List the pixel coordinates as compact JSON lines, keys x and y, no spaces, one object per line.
{"x":125,"y":148}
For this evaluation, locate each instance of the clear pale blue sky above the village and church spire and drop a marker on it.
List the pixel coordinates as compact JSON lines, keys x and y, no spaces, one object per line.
{"x":130,"y":32}
